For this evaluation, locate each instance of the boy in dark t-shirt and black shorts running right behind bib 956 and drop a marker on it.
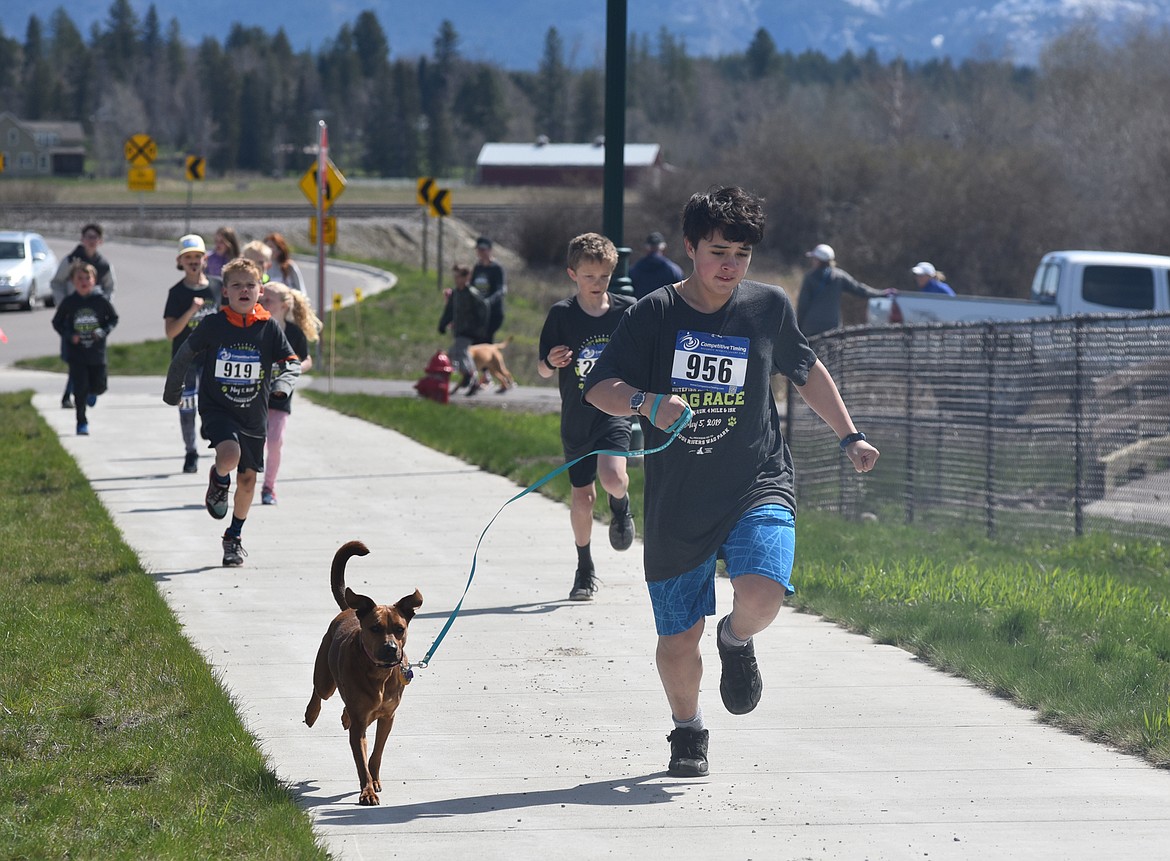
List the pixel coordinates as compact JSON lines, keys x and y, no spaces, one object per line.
{"x":574,"y":337}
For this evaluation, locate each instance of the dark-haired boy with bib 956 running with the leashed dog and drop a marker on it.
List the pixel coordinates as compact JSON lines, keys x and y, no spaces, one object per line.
{"x":725,"y":487}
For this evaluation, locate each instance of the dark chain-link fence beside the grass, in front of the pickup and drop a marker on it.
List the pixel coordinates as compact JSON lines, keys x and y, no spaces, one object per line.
{"x":1059,"y":425}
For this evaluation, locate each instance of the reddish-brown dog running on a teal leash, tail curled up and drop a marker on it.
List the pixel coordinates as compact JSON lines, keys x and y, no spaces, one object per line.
{"x":363,"y":657}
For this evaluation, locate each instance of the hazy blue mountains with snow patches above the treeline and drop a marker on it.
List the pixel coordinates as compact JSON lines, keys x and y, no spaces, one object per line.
{"x":512,"y":35}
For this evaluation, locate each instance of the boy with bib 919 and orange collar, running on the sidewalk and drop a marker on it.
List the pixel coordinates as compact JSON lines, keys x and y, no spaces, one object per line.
{"x":239,"y":347}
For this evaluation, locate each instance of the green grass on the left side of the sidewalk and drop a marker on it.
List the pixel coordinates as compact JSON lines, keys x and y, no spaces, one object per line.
{"x":115,"y":740}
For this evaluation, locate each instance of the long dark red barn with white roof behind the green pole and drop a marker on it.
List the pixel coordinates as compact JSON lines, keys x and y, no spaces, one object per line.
{"x":542,"y":163}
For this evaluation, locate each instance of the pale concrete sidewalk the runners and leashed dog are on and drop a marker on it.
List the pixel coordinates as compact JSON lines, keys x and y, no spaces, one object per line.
{"x":540,"y":728}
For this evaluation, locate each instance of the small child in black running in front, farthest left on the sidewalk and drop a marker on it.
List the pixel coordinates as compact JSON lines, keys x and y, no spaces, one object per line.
{"x":85,"y":320}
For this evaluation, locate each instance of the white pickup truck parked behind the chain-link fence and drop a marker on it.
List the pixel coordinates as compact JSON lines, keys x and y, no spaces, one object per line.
{"x":1065,"y":284}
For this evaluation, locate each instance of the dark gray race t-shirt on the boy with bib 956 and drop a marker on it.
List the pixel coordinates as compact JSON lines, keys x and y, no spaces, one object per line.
{"x":732,"y":458}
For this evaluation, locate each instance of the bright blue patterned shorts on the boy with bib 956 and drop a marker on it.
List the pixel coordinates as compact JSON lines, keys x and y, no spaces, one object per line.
{"x":762,"y":542}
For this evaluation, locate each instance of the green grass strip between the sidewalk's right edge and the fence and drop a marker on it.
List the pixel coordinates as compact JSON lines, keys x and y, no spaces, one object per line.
{"x":1078,"y":631}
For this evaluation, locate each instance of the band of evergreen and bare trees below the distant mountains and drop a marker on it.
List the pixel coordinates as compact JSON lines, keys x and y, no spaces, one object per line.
{"x":979,"y":166}
